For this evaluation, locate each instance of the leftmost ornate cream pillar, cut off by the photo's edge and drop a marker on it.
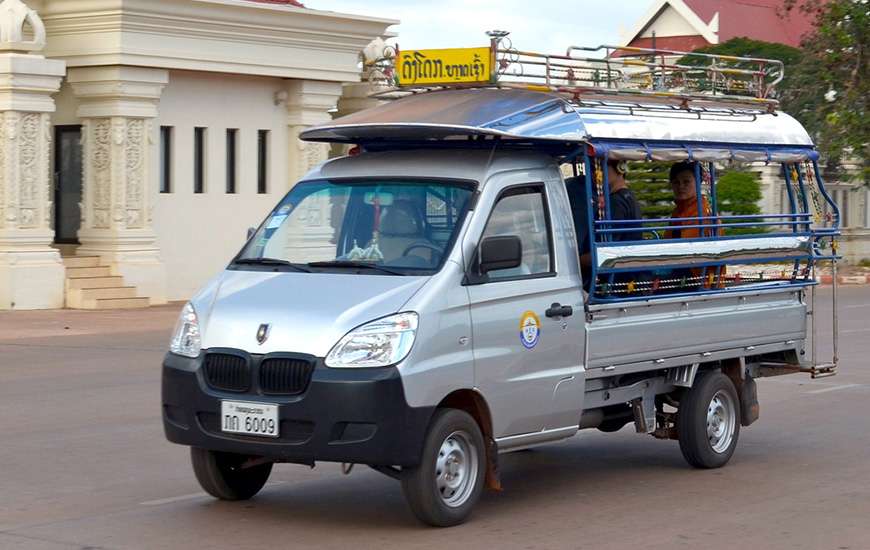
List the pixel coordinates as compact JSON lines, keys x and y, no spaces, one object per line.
{"x":31,"y":272}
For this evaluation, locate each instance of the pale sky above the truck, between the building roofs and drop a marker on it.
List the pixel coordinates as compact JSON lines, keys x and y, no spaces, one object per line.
{"x":547,"y":26}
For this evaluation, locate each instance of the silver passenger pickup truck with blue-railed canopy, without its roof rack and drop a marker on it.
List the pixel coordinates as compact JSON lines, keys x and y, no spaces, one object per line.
{"x":445,"y":294}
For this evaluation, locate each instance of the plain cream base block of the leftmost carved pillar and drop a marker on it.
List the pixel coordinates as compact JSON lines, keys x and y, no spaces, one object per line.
{"x":31,"y":280}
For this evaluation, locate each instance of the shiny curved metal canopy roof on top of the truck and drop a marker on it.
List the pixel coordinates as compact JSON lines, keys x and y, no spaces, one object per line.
{"x":545,"y":117}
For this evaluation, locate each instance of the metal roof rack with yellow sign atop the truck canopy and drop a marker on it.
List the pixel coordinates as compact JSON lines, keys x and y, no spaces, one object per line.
{"x":613,"y":76}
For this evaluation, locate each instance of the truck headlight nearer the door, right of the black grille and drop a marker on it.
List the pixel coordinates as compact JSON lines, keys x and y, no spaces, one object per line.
{"x":380,"y":343}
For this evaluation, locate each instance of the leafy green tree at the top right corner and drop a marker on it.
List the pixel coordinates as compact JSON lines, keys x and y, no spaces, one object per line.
{"x":830,"y":88}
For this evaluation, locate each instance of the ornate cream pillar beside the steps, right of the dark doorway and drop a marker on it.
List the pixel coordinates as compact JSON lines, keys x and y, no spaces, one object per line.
{"x":117,"y":106}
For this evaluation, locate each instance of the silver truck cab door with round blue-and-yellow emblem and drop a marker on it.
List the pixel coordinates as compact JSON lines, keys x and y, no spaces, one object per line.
{"x":527,"y":322}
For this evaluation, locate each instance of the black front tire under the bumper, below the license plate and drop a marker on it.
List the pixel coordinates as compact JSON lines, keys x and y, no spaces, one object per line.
{"x":220,"y":474}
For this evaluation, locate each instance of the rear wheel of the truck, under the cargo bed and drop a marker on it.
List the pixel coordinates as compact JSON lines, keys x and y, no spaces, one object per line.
{"x":708,"y":421}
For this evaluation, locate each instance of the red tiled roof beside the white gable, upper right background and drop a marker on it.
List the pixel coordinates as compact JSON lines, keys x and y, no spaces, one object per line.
{"x":756,"y":19}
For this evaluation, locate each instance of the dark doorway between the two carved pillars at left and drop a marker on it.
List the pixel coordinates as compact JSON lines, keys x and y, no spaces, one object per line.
{"x":67,"y":183}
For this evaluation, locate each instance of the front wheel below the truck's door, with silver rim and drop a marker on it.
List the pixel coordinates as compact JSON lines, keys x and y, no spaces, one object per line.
{"x":444,"y":488}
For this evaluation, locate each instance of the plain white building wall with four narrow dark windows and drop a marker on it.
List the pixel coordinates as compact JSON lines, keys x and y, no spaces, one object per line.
{"x":199,"y":233}
